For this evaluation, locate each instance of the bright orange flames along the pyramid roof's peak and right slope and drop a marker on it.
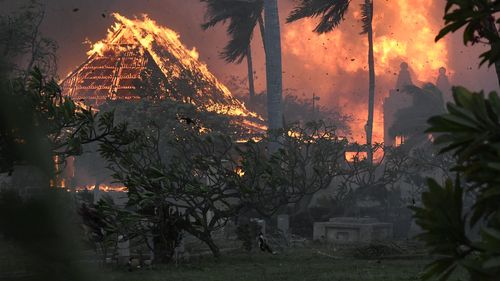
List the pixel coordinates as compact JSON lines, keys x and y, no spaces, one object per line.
{"x":165,"y":48}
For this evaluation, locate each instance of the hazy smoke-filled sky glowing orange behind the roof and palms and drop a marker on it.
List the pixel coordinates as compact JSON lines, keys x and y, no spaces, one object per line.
{"x":332,"y":66}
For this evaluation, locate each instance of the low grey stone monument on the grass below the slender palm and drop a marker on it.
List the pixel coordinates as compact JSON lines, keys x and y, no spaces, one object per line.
{"x":352,"y":230}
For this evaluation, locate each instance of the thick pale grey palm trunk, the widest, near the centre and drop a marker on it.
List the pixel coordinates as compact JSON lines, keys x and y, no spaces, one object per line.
{"x":273,"y":66}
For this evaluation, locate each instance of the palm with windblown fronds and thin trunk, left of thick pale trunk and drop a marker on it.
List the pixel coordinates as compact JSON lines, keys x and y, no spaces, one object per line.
{"x":243,"y":17}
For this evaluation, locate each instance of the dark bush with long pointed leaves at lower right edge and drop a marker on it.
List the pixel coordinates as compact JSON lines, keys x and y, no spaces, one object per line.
{"x":471,"y":130}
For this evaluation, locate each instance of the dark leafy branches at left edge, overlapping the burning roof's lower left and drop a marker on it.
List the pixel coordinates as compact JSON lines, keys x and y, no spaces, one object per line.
{"x":38,"y":123}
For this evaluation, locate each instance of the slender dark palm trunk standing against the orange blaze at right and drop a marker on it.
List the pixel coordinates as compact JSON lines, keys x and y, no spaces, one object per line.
{"x":371,"y":91}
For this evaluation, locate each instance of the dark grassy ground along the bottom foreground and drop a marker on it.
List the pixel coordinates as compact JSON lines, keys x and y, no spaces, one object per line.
{"x":295,"y":265}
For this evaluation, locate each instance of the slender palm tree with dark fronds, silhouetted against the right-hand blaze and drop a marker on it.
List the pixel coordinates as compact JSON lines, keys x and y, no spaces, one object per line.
{"x":331,"y":13}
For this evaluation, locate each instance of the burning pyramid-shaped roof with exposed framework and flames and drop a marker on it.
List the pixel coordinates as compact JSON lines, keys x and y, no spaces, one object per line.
{"x":139,"y":50}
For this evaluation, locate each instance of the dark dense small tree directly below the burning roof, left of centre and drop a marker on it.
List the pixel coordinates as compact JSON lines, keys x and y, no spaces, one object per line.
{"x":183,"y":171}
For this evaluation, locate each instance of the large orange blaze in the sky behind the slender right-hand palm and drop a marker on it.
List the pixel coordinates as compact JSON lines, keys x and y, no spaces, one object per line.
{"x":337,"y":62}
